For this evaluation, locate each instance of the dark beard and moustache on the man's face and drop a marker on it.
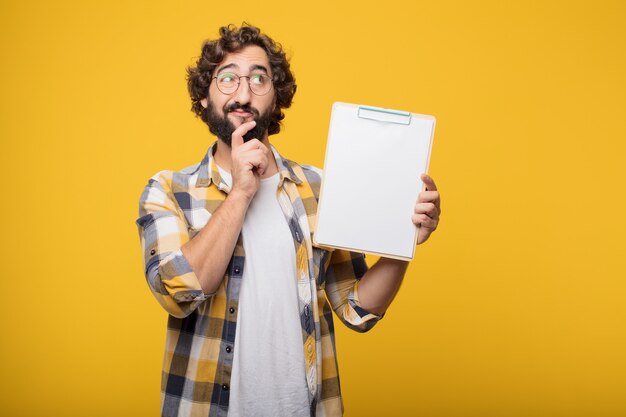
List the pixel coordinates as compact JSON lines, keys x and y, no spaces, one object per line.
{"x":223,"y":128}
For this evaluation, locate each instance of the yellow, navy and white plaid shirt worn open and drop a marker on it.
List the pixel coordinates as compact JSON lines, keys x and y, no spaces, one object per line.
{"x":199,"y":349}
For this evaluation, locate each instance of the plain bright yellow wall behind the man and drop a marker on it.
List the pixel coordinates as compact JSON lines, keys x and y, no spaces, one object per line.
{"x":514,"y":308}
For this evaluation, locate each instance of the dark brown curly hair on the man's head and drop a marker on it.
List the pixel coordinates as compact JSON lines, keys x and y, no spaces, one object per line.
{"x":233,"y":39}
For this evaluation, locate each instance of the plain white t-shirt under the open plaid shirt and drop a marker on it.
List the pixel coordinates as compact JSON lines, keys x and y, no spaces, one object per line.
{"x":268,"y":375}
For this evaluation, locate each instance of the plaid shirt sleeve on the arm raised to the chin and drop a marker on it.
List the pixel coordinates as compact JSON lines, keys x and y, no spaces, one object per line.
{"x":163,"y":231}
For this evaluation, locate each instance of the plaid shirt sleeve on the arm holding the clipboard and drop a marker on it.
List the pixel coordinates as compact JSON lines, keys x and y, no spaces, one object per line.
{"x":342,"y":276}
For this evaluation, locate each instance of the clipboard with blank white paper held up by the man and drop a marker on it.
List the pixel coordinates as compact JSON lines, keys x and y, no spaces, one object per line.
{"x":374,"y":158}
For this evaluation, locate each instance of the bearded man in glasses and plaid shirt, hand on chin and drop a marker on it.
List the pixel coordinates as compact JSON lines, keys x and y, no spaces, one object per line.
{"x":228,"y":253}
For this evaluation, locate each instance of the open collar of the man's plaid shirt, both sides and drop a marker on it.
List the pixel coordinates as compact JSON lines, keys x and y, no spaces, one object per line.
{"x":208,"y":172}
